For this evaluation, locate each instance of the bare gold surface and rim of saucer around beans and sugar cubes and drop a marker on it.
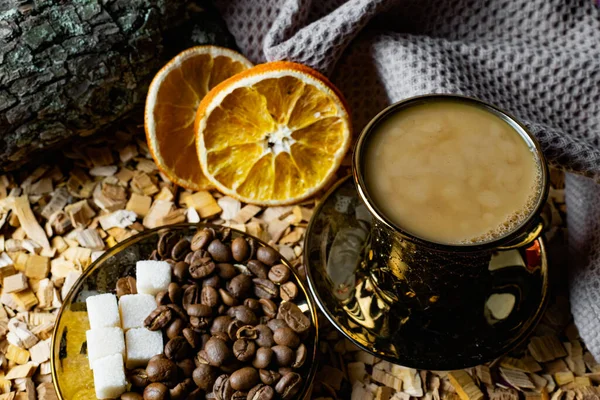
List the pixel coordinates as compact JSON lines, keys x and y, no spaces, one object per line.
{"x":72,"y":377}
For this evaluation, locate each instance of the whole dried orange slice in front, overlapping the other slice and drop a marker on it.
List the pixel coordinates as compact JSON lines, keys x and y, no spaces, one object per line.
{"x":273,"y":134}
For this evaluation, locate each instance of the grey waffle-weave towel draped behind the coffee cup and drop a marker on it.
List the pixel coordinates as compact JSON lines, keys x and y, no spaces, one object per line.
{"x":537,"y":59}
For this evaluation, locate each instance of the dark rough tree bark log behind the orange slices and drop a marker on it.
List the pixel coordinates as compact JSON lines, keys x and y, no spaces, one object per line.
{"x":75,"y":67}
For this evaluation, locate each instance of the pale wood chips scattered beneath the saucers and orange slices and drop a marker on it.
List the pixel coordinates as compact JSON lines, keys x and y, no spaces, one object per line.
{"x":56,"y":219}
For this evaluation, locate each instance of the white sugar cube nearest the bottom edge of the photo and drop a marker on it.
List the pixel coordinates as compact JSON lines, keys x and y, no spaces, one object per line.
{"x":109,"y":377}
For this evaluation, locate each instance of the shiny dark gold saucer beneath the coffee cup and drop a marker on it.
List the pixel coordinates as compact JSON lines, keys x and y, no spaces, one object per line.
{"x":484,"y":319}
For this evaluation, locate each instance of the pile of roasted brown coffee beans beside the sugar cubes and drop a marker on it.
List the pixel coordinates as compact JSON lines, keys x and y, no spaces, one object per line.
{"x":230,"y":324}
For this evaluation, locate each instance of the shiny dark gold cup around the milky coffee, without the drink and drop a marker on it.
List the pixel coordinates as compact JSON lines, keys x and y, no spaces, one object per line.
{"x":439,"y":298}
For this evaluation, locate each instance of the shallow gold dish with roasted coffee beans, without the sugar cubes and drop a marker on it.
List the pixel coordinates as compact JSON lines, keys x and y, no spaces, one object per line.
{"x":237,"y":322}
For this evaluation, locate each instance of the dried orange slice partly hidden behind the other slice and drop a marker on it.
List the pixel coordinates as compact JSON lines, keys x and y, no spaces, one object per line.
{"x":171,"y":104}
